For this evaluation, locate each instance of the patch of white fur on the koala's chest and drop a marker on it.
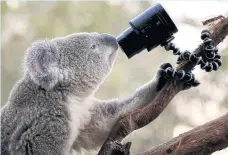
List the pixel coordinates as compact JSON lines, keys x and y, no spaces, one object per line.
{"x":79,"y":117}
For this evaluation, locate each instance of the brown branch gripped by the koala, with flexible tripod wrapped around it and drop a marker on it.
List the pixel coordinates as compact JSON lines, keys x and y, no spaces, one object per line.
{"x":144,"y":116}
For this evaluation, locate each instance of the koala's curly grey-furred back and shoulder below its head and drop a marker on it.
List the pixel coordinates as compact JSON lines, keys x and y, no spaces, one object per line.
{"x":31,"y":118}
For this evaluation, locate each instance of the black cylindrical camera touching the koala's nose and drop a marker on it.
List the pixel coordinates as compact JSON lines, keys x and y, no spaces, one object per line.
{"x":149,"y":29}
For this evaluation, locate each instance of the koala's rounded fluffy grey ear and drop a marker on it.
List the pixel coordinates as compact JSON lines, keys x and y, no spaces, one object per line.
{"x":42,"y":63}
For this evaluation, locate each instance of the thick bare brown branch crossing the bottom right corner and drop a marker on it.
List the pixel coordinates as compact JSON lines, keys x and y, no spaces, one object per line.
{"x":202,"y":140}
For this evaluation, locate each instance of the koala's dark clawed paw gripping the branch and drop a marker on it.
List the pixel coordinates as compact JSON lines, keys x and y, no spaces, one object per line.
{"x":167,"y":73}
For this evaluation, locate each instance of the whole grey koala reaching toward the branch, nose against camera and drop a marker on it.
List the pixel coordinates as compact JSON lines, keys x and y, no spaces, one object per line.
{"x":52,"y":110}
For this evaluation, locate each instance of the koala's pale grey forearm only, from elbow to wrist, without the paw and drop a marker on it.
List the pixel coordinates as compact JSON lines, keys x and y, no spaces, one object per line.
{"x":140,"y":98}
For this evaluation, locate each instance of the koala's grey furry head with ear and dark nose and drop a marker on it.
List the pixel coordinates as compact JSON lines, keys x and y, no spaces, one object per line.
{"x":81,"y":59}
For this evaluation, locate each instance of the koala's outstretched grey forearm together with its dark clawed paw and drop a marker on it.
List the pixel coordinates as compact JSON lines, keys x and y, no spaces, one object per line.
{"x":147,"y":93}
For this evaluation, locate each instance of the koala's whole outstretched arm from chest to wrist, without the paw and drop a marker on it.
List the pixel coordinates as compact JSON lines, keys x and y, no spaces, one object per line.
{"x":105,"y":113}
